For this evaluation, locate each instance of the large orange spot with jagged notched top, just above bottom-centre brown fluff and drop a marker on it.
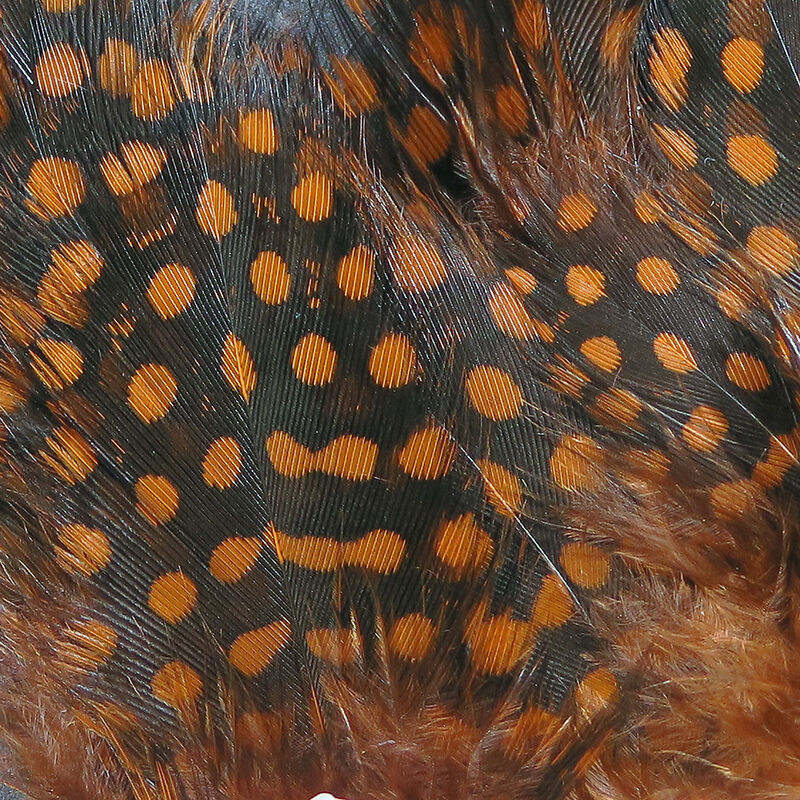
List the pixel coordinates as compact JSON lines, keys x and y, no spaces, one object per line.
{"x":498,"y":643}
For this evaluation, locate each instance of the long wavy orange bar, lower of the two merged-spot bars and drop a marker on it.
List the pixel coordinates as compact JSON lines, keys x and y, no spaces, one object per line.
{"x":378,"y":551}
